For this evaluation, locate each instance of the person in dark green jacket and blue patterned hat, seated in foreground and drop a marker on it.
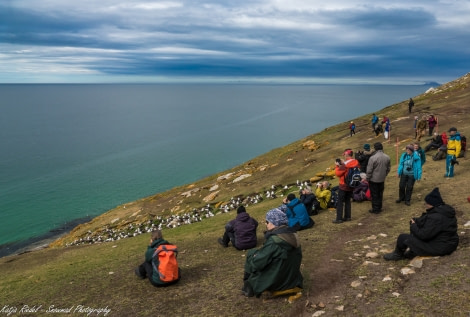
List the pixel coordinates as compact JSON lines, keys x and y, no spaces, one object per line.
{"x":276,"y":265}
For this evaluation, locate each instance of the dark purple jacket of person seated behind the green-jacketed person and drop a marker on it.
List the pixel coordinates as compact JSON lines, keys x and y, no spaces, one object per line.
{"x":244,"y":229}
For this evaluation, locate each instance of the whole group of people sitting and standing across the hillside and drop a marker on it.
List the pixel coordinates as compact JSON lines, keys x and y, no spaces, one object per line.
{"x":276,"y":265}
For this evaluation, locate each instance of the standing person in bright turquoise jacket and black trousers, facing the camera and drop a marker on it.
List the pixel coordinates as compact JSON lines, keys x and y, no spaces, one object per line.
{"x":409,"y":171}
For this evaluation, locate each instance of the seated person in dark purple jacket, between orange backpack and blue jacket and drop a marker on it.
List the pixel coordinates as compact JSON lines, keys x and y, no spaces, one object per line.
{"x":241,"y":231}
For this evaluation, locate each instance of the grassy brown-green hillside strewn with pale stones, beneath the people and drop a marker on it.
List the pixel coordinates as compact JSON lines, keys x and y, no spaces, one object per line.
{"x":342,"y":275}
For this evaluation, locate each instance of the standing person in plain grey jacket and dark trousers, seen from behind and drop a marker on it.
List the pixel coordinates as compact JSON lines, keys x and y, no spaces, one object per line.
{"x":377,"y":170}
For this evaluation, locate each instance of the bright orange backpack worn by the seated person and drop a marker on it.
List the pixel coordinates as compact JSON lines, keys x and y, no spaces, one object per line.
{"x":165,"y":255}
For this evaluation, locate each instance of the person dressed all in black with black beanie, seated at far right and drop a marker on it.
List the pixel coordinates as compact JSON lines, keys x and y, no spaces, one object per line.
{"x":432,"y":234}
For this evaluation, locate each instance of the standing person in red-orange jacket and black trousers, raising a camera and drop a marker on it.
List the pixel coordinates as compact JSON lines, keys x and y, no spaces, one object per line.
{"x":343,"y":207}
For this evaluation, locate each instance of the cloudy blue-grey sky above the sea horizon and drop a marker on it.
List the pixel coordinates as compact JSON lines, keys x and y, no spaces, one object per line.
{"x":137,"y":41}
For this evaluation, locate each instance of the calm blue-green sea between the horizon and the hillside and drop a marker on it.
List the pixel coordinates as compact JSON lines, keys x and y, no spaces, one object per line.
{"x":74,"y":151}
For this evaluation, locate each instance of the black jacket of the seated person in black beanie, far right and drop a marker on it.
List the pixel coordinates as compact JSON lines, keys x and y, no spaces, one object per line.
{"x":435,"y":232}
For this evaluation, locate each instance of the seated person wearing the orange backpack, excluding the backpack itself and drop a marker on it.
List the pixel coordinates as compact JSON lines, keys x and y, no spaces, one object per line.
{"x":146,"y":269}
